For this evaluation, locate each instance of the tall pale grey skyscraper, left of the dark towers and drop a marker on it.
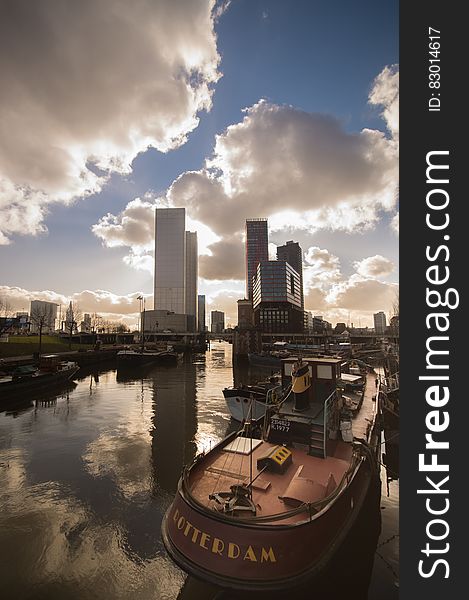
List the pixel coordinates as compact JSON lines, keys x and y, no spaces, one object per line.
{"x":176,"y":261}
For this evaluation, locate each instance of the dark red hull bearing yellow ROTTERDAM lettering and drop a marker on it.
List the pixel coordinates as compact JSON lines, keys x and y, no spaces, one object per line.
{"x":249,"y":556}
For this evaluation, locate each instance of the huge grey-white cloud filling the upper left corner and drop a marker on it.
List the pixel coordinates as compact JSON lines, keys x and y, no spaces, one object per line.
{"x":108,"y":80}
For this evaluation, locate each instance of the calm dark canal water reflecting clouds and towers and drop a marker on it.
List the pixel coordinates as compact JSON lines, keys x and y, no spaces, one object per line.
{"x":86,"y":476}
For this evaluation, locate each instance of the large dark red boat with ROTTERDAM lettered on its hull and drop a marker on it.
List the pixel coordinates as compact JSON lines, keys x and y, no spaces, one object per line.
{"x":271,"y":512}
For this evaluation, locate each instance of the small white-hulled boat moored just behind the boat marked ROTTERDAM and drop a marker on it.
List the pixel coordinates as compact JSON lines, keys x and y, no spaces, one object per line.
{"x":251,"y":401}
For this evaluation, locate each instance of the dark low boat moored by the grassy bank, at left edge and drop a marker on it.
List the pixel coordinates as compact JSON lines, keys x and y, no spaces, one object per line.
{"x":26,"y":379}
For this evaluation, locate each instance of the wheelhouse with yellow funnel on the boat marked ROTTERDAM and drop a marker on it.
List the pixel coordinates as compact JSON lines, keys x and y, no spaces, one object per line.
{"x":310,"y":414}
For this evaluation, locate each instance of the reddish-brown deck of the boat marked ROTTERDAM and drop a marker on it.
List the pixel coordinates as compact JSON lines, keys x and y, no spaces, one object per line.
{"x":307,"y":479}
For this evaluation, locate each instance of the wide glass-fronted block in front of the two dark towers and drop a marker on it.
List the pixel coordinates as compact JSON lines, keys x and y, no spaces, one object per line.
{"x":277,"y":298}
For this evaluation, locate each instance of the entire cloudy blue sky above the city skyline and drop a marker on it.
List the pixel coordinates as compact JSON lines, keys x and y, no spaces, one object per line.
{"x":233,"y":110}
